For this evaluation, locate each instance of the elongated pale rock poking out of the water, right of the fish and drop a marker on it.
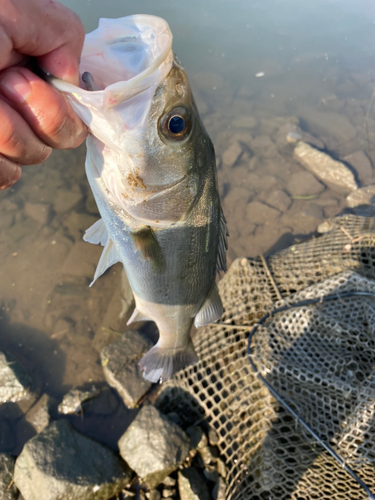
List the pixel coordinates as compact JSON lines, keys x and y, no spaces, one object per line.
{"x":325,"y":167}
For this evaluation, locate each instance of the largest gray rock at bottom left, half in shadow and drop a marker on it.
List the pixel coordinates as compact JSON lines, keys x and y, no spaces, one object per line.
{"x":62,"y":464}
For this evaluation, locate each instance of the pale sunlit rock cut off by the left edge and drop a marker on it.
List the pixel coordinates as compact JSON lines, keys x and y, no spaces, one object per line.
{"x":14,"y":382}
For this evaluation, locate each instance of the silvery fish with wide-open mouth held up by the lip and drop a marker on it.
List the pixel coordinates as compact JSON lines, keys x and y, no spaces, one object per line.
{"x":152,"y":170}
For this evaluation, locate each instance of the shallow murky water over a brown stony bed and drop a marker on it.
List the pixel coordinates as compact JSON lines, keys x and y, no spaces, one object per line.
{"x":318,"y":70}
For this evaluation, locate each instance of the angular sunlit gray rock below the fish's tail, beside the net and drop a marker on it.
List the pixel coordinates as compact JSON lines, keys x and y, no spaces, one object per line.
{"x":153,"y":446}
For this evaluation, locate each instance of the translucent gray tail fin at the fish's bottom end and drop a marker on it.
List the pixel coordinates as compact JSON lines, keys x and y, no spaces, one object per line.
{"x":160,"y":364}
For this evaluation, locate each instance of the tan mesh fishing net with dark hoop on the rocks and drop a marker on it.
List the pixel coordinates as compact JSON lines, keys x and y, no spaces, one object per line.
{"x":320,"y":358}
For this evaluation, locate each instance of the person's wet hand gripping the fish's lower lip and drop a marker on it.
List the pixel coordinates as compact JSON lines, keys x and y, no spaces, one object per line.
{"x":34,"y":117}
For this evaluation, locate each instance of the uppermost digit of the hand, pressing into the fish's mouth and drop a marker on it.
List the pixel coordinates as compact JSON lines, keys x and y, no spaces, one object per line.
{"x":44,"y":29}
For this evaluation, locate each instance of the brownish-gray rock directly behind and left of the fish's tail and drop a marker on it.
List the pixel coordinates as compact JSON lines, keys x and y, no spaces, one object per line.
{"x":120,"y":365}
